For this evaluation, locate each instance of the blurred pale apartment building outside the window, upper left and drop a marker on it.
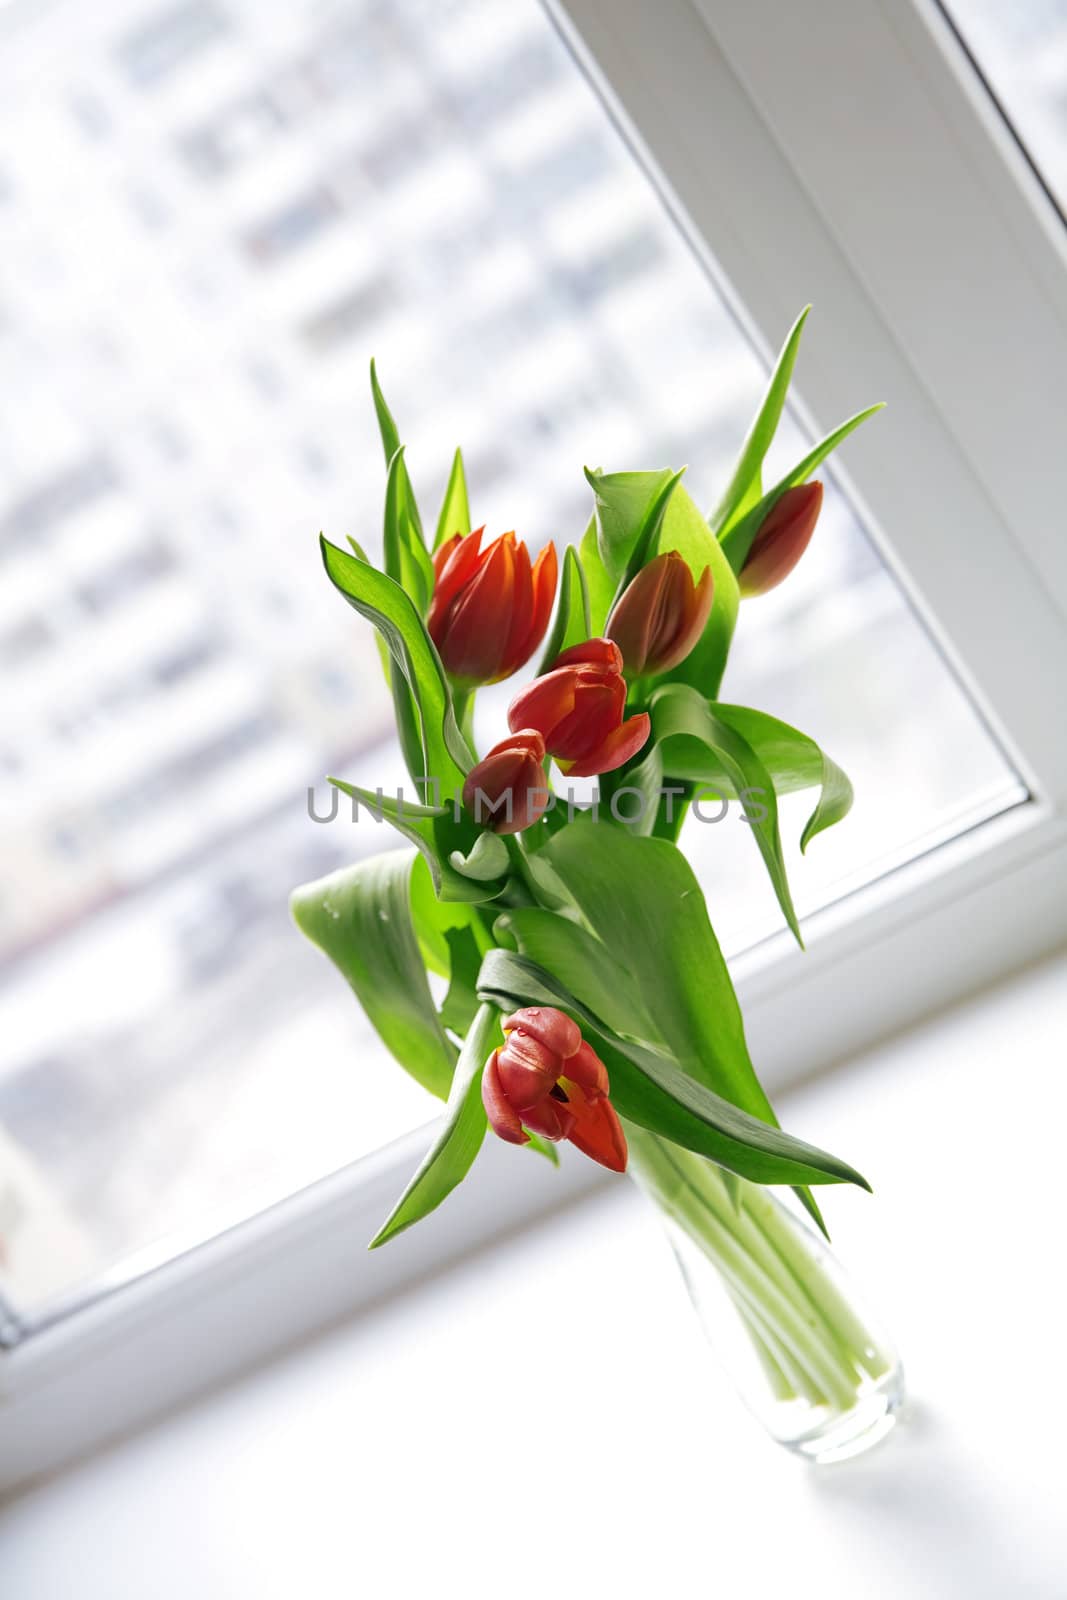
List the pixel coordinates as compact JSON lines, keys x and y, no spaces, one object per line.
{"x":206,"y":206}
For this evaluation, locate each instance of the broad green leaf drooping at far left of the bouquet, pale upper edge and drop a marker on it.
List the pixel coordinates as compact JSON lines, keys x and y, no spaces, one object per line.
{"x":361,"y":918}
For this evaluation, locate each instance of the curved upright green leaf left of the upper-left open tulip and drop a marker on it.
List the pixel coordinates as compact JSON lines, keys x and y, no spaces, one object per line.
{"x":385,"y":604}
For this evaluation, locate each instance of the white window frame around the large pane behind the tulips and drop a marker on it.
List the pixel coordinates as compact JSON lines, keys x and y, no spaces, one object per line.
{"x":837,"y":151}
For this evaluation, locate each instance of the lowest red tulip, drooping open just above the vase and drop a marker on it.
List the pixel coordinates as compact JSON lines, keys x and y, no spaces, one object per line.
{"x":548,"y":1079}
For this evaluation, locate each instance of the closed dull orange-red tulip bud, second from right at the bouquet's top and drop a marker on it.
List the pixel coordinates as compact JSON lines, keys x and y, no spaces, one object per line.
{"x":660,"y":617}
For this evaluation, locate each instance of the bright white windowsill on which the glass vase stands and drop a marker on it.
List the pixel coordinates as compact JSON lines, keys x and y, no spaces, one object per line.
{"x":546,"y":1418}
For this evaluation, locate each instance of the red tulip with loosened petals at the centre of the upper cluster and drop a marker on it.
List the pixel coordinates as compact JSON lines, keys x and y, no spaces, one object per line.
{"x":580,"y":710}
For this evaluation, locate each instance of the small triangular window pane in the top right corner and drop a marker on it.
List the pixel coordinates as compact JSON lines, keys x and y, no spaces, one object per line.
{"x":1021,"y":50}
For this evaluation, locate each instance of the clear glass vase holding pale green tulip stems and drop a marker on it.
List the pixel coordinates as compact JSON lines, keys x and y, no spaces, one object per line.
{"x":777,"y":1306}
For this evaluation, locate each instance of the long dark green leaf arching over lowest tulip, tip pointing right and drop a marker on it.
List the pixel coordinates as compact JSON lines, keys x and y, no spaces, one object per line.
{"x":650,"y":1089}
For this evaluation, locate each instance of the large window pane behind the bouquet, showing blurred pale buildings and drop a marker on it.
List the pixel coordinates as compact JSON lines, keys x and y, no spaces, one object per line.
{"x":212,"y":217}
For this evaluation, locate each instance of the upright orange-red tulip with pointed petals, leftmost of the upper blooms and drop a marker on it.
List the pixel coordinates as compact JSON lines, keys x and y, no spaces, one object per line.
{"x":490,"y":607}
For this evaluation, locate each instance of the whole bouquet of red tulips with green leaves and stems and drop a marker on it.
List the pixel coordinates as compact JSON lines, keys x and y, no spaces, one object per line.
{"x":583,"y":994}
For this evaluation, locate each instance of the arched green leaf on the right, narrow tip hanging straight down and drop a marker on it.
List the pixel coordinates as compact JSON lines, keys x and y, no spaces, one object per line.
{"x":687,"y":729}
